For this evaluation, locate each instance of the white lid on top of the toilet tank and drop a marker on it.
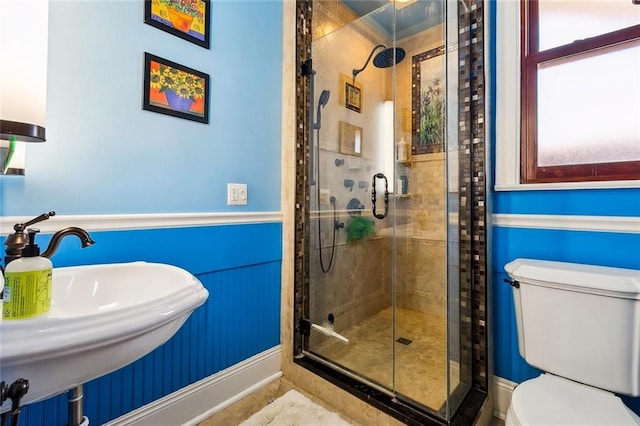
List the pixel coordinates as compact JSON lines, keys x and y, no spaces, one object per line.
{"x":616,"y":282}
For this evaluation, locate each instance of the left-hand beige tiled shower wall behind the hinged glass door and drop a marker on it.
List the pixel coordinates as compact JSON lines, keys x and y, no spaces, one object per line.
{"x":356,"y":284}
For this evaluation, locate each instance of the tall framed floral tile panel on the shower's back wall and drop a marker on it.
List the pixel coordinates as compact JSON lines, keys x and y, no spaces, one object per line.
{"x":428,"y":102}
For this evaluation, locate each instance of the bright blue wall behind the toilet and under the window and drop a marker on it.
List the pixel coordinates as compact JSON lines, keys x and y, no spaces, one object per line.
{"x":598,"y":248}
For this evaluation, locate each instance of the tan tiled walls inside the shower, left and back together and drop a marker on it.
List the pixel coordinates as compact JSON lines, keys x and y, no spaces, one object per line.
{"x":421,"y":243}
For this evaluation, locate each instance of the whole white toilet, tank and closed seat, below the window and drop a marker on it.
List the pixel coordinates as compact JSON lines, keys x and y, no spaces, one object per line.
{"x":581,"y":325}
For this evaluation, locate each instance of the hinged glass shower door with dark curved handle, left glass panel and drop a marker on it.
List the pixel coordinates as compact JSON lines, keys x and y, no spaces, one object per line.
{"x":350,"y":236}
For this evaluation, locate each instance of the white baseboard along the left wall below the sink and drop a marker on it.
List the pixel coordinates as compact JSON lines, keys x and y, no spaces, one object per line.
{"x":200,"y":400}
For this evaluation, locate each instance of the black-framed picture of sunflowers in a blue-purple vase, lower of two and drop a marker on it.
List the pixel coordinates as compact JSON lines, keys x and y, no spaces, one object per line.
{"x":173,"y":89}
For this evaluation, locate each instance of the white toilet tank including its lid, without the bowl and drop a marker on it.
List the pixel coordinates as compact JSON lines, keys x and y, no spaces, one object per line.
{"x":581,"y":322}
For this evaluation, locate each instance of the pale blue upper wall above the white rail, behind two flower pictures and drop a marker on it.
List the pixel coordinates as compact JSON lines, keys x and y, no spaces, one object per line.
{"x":104,"y":154}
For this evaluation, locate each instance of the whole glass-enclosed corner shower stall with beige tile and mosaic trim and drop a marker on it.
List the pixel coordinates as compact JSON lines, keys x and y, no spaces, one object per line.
{"x":386,"y":304}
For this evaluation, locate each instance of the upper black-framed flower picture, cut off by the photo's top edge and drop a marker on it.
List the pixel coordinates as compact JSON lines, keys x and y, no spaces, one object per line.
{"x":187,"y":19}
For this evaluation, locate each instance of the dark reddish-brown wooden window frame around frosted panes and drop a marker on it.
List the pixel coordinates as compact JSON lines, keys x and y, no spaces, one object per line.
{"x":530,"y":58}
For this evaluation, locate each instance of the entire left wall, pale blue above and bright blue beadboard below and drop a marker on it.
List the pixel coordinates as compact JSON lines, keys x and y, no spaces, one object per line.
{"x":105,"y":155}
